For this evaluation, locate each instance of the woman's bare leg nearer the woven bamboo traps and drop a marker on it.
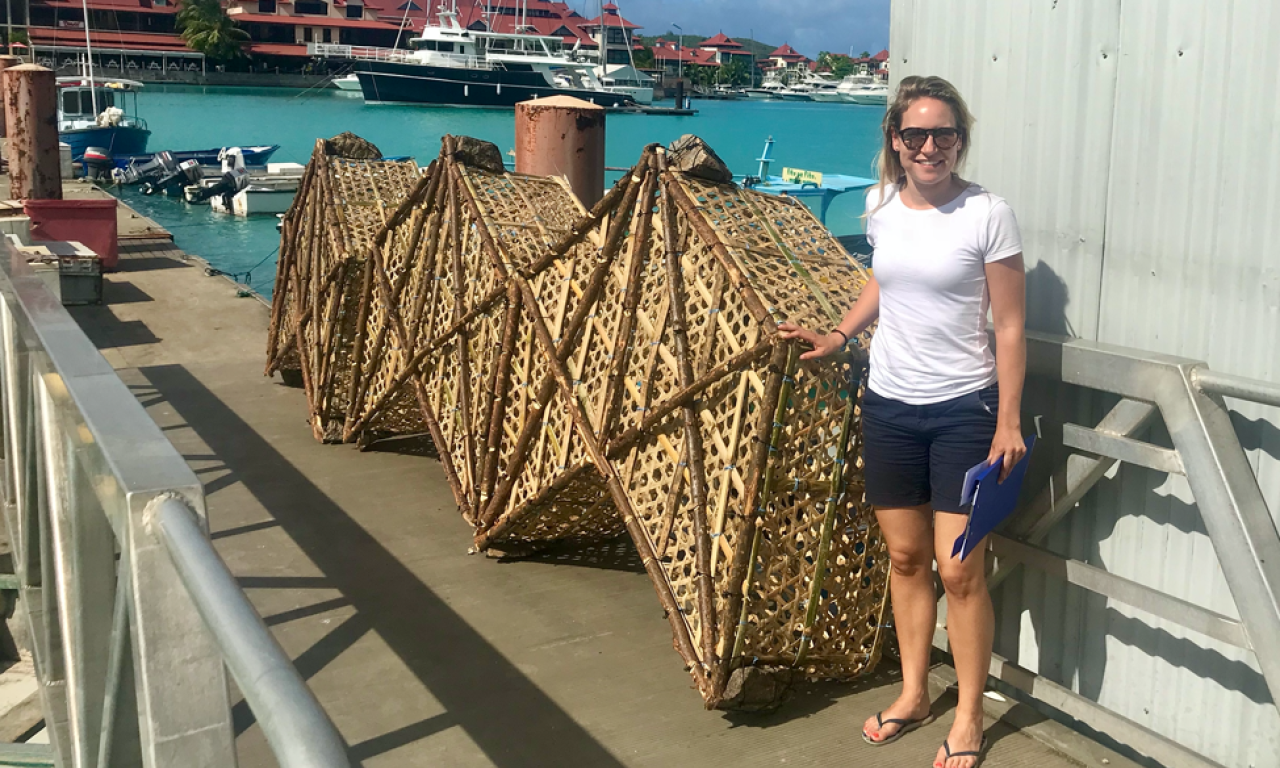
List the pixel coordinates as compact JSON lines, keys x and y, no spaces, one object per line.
{"x":909,"y":536}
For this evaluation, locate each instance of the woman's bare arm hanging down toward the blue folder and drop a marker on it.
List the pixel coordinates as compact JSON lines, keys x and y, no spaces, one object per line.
{"x":1007,"y":285}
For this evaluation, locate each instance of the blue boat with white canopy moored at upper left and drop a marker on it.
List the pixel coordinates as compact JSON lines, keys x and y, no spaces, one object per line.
{"x":94,"y":115}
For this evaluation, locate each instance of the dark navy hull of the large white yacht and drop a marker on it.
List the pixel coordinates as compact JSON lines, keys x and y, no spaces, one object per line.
{"x":386,"y":83}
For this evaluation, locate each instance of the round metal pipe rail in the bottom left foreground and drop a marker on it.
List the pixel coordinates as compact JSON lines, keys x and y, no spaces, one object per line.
{"x":296,"y":726}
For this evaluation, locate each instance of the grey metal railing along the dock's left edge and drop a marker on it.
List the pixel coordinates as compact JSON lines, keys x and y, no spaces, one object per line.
{"x":118,"y":582}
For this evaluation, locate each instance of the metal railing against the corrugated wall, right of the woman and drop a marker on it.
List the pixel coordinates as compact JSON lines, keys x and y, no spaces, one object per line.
{"x":1208,"y":451}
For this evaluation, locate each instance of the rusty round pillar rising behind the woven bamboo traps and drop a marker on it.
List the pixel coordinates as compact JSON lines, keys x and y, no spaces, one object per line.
{"x":563,"y":136}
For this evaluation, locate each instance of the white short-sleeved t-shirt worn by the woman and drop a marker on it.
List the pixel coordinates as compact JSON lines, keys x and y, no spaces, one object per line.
{"x":931,"y":345}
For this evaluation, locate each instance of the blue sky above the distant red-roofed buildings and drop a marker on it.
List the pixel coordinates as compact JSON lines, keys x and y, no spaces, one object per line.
{"x":810,"y":26}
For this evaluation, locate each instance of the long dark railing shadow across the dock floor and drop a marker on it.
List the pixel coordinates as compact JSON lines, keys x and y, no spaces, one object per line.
{"x":504,"y":712}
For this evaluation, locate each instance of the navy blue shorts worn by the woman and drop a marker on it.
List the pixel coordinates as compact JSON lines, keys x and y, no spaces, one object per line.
{"x":918,"y":455}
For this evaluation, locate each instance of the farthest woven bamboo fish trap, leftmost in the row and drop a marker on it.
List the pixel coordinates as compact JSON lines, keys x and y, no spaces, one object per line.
{"x":337,"y":218}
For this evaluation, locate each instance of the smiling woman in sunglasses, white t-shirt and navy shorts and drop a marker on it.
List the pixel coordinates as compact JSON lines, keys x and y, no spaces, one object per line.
{"x":945,"y":252}
